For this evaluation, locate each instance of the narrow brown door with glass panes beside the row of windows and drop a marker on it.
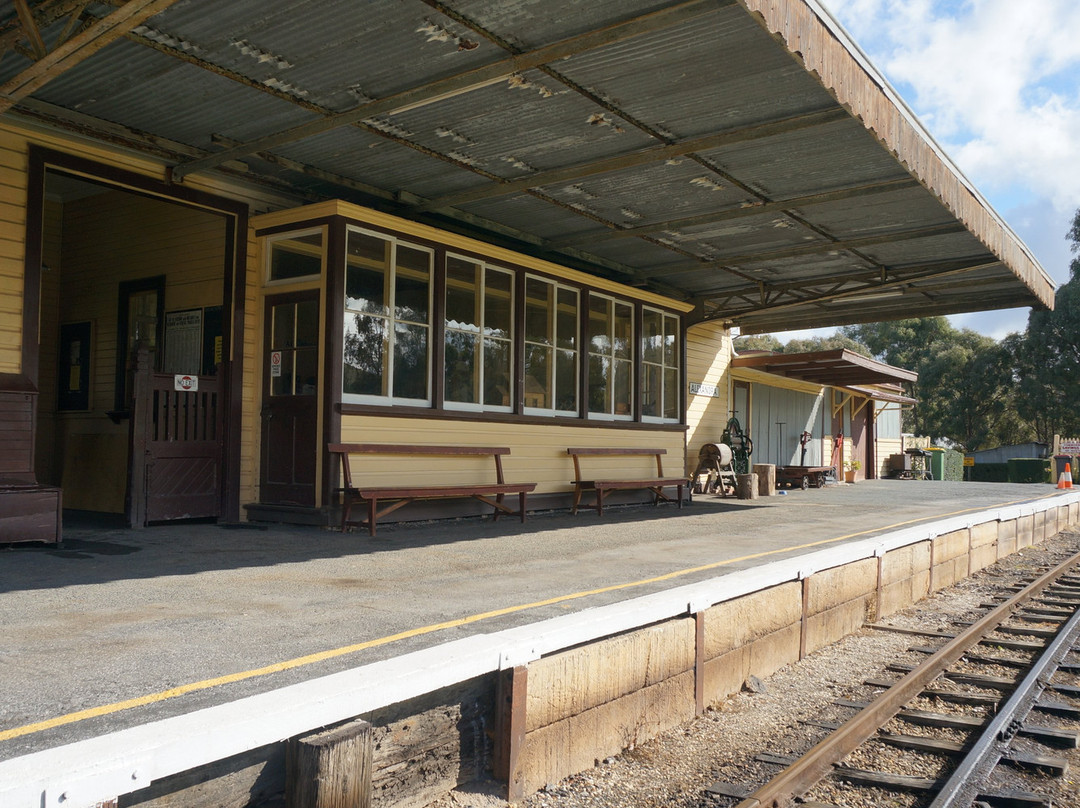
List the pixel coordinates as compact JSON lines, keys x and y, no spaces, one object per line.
{"x":290,"y":400}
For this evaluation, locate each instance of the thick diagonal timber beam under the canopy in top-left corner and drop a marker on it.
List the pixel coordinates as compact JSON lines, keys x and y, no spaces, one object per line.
{"x":79,"y":48}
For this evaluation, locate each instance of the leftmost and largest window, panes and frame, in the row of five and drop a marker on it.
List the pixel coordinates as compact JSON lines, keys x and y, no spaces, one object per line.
{"x":387,"y":320}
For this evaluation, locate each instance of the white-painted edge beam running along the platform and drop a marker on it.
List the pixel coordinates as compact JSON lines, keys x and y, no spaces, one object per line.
{"x":80,"y":775}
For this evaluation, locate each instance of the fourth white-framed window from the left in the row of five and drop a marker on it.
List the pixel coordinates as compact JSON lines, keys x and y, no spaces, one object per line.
{"x":611,"y":357}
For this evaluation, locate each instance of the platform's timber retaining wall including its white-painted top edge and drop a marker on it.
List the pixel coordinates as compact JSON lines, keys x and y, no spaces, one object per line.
{"x":538,"y":703}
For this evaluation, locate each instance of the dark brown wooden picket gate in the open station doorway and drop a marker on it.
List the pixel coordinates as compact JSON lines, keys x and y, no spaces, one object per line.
{"x":177,"y":440}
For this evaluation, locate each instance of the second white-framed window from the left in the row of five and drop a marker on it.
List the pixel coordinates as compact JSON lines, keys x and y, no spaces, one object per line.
{"x":478,"y":335}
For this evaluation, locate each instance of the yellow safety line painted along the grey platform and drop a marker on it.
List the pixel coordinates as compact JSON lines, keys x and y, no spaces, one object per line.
{"x":345,"y":651}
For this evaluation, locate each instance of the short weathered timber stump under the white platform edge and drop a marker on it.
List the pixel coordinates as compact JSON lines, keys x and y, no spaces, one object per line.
{"x":331,"y":770}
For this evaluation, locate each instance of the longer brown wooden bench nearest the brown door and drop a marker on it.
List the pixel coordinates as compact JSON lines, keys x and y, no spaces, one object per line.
{"x":489,"y":493}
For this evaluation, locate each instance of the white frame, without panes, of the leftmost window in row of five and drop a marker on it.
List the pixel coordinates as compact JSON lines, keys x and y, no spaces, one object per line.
{"x":391,"y":320}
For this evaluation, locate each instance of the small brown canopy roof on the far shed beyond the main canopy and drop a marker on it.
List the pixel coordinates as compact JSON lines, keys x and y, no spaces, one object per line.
{"x":838,"y":368}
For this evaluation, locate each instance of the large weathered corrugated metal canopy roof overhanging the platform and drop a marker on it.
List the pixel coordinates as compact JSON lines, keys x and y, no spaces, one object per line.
{"x":739,"y":154}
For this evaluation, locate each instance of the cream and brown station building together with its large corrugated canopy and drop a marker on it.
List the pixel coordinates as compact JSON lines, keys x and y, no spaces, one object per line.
{"x":233,"y":233}
